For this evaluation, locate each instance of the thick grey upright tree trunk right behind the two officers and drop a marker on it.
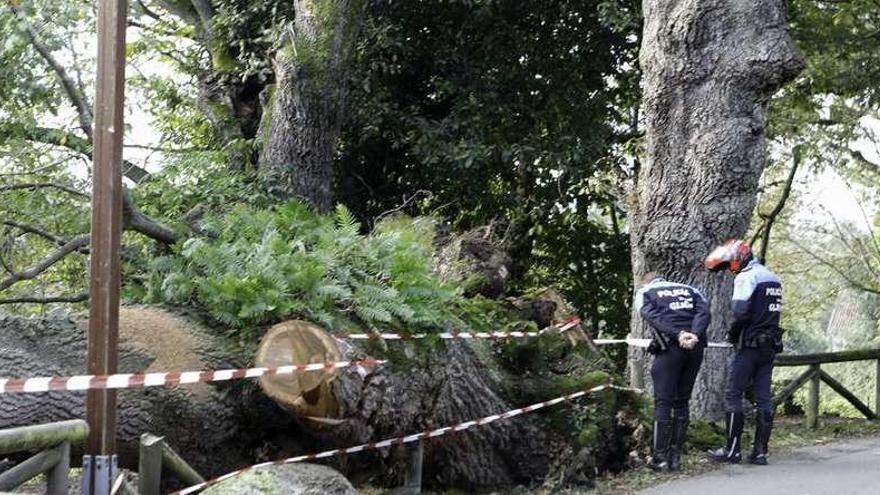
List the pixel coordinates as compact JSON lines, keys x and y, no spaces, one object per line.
{"x":709,"y":68}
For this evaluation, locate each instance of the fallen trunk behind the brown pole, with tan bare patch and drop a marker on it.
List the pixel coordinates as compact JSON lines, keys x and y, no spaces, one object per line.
{"x":216,"y":428}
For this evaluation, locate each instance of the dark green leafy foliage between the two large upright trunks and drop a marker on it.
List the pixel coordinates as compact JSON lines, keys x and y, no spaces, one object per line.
{"x":452,"y":98}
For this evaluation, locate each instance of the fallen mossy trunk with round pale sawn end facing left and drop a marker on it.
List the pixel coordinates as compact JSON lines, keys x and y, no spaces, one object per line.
{"x":428,"y":385}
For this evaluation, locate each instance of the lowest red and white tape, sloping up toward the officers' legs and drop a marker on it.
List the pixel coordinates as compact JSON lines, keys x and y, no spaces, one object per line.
{"x":405,"y":439}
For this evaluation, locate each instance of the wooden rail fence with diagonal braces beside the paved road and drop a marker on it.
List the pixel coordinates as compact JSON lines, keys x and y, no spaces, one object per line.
{"x":814,"y":374}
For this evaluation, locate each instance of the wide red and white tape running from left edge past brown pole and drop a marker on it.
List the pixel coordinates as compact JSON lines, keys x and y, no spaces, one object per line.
{"x":141,"y":380}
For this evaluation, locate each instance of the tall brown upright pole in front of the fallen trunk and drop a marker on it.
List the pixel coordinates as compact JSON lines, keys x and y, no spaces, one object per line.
{"x":105,"y":240}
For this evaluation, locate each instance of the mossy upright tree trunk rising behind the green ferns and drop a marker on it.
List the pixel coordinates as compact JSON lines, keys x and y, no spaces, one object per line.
{"x":303,"y":111}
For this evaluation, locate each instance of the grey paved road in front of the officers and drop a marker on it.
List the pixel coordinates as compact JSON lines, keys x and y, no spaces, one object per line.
{"x":842,"y":468}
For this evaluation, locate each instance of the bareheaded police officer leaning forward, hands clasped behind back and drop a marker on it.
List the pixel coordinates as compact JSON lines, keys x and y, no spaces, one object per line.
{"x":678,"y":315}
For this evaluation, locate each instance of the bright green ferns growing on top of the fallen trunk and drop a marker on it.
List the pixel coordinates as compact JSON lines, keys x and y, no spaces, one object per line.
{"x":268,"y":264}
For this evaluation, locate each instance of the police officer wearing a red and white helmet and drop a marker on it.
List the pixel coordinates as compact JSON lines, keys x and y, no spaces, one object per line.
{"x":757,"y":305}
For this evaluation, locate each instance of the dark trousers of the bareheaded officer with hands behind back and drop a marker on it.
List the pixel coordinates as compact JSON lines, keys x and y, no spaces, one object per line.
{"x":674,"y":372}
